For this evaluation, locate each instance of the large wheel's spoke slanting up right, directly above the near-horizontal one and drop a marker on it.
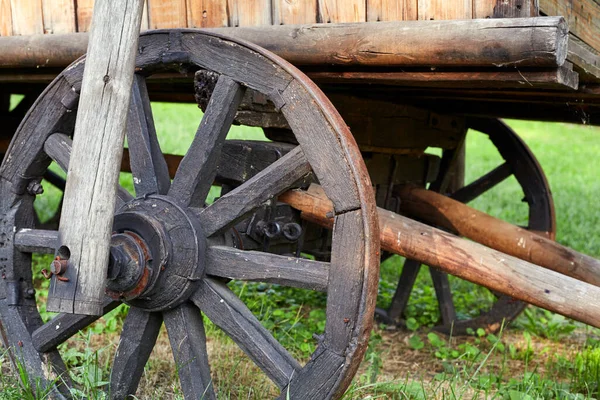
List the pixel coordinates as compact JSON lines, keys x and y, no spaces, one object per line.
{"x":270,"y":182}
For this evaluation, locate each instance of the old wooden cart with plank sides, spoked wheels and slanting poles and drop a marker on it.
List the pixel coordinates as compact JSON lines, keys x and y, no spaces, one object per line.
{"x":404,"y":76}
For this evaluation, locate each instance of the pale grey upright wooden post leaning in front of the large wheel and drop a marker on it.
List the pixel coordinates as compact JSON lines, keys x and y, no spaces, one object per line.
{"x":90,"y":194}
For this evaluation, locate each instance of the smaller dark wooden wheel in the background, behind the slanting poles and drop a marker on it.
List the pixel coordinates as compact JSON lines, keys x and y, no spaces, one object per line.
{"x":519,"y":162}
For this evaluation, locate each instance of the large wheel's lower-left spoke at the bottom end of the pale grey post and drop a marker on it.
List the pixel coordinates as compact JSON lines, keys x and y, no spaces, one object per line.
{"x":62,"y":327}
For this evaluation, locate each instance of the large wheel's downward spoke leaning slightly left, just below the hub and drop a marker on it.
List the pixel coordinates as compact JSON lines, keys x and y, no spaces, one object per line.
{"x":140,"y":331}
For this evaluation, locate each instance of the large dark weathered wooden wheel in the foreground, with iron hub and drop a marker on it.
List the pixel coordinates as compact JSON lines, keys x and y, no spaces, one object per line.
{"x":168,"y":253}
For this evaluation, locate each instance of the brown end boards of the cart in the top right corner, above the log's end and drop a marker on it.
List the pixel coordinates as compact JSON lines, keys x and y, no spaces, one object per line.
{"x":583,"y":17}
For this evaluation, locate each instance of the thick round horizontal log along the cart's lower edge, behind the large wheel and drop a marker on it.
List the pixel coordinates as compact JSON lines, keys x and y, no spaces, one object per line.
{"x":522,"y":42}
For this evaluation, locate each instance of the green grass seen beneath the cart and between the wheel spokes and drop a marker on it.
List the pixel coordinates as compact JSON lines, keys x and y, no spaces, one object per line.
{"x":465,"y":368}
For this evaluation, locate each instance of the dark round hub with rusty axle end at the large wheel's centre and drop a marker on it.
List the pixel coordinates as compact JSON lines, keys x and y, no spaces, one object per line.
{"x":157,"y":254}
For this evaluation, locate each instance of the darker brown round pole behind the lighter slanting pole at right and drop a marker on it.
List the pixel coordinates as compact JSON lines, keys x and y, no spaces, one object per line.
{"x":482,"y":228}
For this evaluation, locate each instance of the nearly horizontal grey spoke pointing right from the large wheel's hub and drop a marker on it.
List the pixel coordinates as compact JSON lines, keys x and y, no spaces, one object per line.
{"x":232,"y":263}
